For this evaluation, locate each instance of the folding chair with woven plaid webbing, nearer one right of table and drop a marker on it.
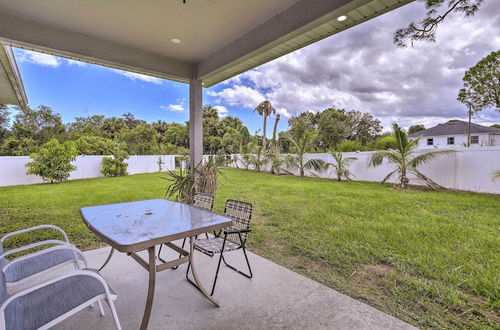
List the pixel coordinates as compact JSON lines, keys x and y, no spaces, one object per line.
{"x":230,"y":239}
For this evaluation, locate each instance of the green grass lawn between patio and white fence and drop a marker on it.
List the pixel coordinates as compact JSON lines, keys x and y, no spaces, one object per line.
{"x":429,"y":258}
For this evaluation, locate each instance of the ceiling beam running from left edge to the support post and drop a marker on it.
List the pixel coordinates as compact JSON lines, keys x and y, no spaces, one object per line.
{"x":24,"y":33}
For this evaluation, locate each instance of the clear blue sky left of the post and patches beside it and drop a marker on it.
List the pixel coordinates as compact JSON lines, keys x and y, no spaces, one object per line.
{"x":76,"y":89}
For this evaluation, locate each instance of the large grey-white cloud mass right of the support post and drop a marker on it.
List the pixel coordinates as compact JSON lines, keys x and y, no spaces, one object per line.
{"x":362,"y":69}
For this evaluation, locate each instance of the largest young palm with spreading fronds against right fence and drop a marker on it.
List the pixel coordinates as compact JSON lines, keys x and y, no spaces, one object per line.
{"x":401,"y":153}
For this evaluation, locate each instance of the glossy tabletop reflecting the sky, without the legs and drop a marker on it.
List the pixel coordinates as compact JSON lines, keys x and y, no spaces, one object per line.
{"x":135,"y":226}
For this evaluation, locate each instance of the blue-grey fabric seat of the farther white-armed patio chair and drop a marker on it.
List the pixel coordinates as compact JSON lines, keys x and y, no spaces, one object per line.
{"x":30,"y":266}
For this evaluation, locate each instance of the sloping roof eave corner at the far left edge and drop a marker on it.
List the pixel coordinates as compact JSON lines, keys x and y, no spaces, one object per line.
{"x":11,"y":84}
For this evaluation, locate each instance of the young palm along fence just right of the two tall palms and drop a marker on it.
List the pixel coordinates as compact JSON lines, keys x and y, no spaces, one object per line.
{"x":300,"y":147}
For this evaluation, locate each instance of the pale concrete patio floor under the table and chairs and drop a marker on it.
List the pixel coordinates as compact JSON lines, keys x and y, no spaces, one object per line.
{"x":276,"y":298}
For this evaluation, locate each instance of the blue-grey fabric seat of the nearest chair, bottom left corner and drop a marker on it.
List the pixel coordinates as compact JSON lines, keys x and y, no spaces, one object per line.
{"x":41,"y":306}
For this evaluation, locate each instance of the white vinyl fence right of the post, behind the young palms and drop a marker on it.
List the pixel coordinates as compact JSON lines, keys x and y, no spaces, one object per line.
{"x":467,"y":169}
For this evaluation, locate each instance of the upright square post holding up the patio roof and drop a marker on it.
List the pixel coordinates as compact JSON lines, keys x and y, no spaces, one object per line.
{"x":195,"y":122}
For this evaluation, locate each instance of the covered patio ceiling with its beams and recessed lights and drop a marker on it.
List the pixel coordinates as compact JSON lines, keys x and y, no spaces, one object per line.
{"x":104,"y":32}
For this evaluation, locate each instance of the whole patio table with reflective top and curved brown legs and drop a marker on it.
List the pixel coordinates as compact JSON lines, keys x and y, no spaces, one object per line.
{"x":135,"y":226}
